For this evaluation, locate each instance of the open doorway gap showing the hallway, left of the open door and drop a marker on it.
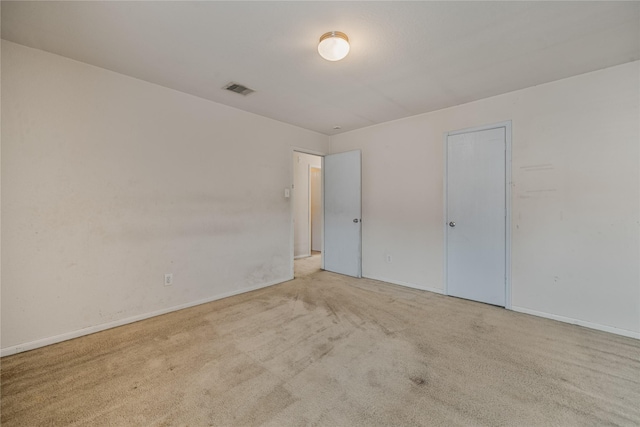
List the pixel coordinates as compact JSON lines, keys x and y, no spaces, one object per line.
{"x":307,"y":205}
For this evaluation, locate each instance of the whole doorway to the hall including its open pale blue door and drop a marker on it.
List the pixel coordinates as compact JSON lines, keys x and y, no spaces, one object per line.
{"x":330,"y":221}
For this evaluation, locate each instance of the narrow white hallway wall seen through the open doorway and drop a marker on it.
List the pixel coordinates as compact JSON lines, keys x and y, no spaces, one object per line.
{"x":301,"y":194}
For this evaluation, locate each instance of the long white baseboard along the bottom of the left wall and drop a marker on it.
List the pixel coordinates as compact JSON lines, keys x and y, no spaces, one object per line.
{"x":8,"y":351}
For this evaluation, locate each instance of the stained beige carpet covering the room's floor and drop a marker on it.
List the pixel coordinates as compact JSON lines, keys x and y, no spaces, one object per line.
{"x":329,"y":350}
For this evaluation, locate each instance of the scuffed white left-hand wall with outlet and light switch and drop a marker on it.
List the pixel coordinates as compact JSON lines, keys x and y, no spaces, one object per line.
{"x":109,"y":182}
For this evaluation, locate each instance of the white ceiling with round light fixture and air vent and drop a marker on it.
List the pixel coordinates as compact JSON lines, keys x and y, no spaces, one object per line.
{"x":406,"y":58}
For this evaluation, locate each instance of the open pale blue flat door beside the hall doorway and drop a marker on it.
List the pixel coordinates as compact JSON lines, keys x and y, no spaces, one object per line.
{"x":342,"y":213}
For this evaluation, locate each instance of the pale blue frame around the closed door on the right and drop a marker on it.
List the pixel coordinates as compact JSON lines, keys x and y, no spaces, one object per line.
{"x":507,"y":126}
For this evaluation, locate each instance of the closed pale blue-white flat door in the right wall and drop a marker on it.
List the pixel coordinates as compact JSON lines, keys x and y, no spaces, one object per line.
{"x":476,"y":215}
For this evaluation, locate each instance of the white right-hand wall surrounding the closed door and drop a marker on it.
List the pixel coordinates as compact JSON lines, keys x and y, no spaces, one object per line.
{"x":575,"y":221}
